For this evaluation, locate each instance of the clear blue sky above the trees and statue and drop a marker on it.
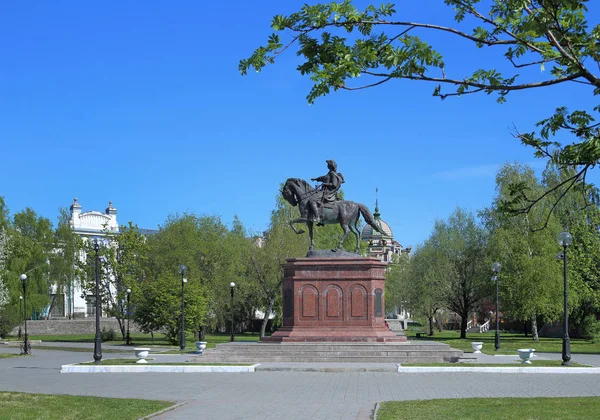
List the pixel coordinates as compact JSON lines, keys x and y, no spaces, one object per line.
{"x":142,"y":104}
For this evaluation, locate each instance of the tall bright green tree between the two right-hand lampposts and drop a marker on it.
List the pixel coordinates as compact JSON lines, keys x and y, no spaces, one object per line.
{"x":530,"y":281}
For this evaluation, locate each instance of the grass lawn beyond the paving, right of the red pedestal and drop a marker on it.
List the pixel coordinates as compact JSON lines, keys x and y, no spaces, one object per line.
{"x":509,"y":342}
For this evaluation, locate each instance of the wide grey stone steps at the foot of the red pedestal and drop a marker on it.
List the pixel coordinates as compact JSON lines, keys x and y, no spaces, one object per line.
{"x":423,"y":352}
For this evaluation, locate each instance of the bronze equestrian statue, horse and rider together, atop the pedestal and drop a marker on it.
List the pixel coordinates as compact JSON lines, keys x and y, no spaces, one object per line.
{"x":322,"y":206}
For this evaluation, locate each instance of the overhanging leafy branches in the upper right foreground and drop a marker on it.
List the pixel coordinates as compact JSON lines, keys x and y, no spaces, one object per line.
{"x":527,"y":36}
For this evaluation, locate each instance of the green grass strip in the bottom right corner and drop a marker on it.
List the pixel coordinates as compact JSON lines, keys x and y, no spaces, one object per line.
{"x":492,"y":408}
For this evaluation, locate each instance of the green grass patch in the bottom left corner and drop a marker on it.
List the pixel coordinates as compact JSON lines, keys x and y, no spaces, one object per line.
{"x":17,"y":405}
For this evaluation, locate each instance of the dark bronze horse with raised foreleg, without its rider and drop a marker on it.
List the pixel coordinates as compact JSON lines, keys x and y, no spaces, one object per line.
{"x":297,"y":192}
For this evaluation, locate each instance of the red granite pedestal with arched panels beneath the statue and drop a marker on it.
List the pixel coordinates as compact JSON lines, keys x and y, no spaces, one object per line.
{"x":334,"y":299}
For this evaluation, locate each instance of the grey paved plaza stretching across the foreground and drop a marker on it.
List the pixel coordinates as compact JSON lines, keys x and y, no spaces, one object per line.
{"x":281,"y":394}
